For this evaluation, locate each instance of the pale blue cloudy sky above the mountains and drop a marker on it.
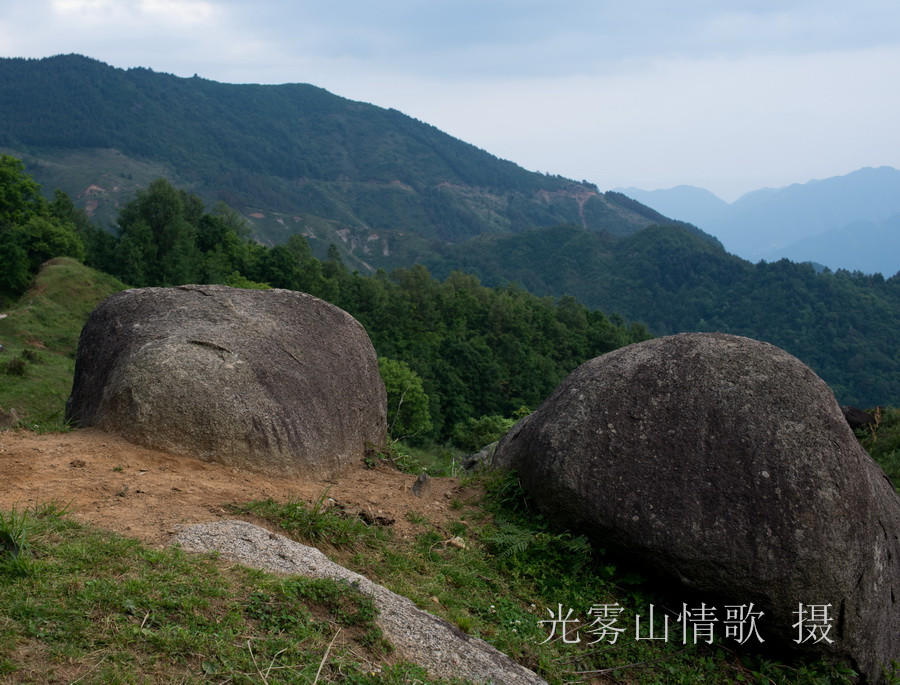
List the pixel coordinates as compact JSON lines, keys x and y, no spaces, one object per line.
{"x":730,"y":96}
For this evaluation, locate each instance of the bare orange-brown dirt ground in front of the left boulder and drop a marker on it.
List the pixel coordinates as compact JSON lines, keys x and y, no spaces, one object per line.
{"x":148,"y":494}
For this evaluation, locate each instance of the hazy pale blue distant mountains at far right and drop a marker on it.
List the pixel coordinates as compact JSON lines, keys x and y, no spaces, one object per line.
{"x":845,"y":222}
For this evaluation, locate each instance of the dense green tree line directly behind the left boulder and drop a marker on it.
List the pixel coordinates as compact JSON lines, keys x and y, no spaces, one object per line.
{"x":454,"y":349}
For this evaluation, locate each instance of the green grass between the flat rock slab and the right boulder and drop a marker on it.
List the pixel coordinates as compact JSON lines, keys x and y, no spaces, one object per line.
{"x":512,"y":569}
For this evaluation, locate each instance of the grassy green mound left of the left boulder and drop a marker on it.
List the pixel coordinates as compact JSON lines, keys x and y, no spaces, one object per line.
{"x":40,"y":335}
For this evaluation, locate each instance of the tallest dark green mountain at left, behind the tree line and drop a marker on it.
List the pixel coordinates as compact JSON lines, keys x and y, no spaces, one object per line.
{"x":291,"y":158}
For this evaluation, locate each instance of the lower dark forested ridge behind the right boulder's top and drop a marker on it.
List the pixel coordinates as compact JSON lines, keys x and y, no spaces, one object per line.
{"x":843,"y":325}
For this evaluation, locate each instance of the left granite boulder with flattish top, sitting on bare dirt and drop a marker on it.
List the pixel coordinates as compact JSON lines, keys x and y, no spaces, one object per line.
{"x":271,"y":380}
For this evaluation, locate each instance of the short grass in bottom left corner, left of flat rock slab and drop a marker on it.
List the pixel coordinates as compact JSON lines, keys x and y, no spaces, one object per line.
{"x":80,"y":604}
